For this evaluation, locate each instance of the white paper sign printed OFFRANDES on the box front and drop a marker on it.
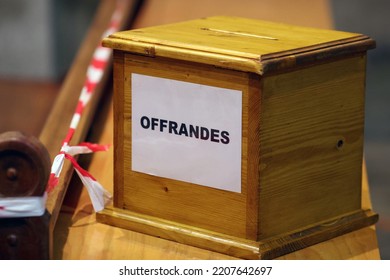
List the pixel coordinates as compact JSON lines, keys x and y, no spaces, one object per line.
{"x":186,"y":131}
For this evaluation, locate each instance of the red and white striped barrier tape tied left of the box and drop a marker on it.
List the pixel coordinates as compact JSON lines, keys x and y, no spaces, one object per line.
{"x":35,"y":206}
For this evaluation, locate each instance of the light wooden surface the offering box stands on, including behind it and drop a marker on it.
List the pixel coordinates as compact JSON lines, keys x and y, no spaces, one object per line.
{"x":77,"y":234}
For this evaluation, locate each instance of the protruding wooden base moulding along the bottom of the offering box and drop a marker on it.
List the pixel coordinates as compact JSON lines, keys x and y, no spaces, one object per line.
{"x":233,"y":246}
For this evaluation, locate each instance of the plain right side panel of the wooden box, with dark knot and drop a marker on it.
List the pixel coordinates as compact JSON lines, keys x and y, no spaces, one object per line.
{"x":300,"y":164}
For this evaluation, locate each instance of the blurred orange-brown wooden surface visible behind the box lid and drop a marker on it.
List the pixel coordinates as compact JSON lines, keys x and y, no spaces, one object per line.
{"x":300,"y":12}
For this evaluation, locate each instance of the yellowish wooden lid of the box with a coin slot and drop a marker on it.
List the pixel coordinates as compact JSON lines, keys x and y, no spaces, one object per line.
{"x":240,"y":43}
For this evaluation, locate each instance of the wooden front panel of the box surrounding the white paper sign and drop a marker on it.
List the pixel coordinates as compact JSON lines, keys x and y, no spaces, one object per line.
{"x":209,"y":208}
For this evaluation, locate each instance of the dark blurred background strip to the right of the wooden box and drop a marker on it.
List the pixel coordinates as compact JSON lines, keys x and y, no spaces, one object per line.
{"x":373,"y":18}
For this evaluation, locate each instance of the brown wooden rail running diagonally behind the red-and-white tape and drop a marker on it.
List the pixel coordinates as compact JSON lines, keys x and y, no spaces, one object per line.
{"x":58,"y":121}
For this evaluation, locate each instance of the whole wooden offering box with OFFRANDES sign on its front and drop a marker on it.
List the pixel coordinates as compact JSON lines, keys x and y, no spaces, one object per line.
{"x":239,"y":136}
